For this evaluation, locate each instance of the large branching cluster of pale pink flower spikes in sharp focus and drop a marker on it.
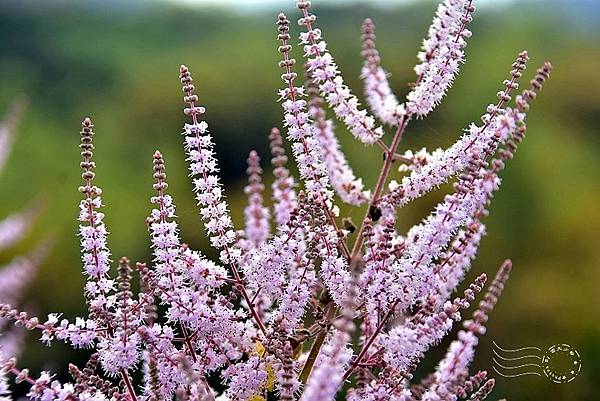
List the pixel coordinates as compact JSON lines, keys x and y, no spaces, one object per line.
{"x":301,"y":301}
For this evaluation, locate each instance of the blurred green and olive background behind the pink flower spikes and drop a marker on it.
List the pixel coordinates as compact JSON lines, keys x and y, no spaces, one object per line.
{"x":118,"y":62}
